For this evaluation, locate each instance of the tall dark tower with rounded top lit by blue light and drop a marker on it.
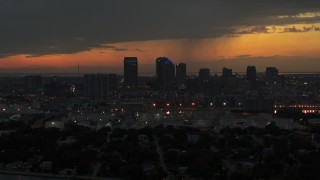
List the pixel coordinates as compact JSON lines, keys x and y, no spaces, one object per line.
{"x":165,"y":74}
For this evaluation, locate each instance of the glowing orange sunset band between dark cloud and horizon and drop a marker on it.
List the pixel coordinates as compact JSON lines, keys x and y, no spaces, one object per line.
{"x":180,"y":50}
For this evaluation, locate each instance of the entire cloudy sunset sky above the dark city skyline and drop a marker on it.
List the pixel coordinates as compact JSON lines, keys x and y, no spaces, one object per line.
{"x":53,"y":36}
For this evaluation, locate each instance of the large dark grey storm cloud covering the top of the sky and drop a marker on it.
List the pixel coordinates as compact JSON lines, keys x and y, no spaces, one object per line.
{"x":42,"y":27}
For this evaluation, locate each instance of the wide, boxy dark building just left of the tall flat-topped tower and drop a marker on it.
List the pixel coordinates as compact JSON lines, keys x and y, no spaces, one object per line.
{"x":99,"y":85}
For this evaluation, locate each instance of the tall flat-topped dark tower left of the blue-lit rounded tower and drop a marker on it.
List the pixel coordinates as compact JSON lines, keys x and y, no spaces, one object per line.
{"x":130,"y":71}
